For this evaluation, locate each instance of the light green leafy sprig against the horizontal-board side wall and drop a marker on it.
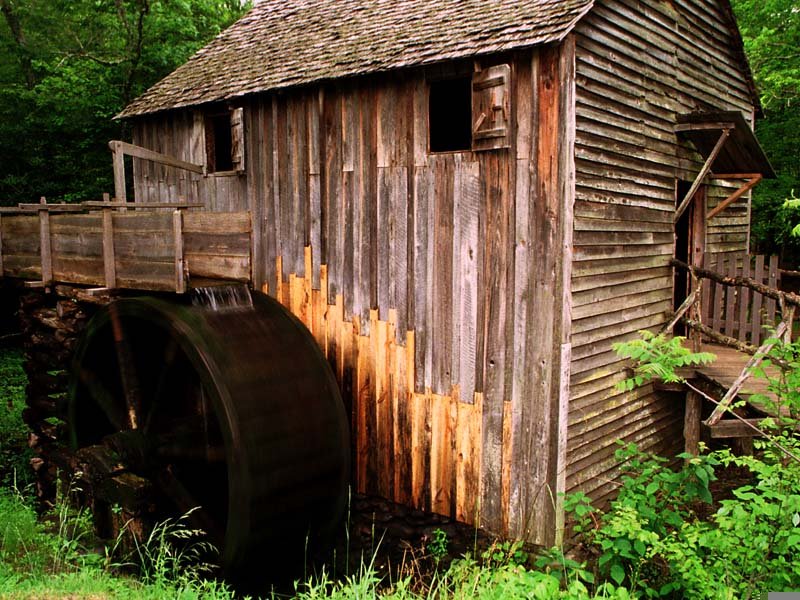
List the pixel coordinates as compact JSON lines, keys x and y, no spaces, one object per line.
{"x":657,"y":357}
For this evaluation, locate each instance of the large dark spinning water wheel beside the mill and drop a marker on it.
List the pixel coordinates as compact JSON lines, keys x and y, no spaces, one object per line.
{"x":233,"y":412}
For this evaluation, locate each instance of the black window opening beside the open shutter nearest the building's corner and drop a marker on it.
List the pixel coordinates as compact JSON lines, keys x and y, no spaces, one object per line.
{"x":450,"y":115}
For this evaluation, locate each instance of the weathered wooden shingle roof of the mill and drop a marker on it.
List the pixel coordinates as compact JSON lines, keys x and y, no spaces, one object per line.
{"x":282,"y":43}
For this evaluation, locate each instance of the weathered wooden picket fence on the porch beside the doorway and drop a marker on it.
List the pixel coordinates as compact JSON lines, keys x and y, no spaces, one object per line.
{"x":738,"y":311}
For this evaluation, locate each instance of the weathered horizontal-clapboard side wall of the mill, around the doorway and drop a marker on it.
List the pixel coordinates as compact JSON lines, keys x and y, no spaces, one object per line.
{"x":638,"y":64}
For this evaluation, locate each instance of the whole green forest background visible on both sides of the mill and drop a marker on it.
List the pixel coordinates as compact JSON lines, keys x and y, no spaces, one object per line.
{"x":68,"y":66}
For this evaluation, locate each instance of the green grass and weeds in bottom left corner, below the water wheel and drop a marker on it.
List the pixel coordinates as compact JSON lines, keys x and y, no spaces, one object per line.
{"x":55,"y":556}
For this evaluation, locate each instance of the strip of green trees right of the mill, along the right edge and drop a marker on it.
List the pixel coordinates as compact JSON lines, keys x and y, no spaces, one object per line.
{"x":771,"y":33}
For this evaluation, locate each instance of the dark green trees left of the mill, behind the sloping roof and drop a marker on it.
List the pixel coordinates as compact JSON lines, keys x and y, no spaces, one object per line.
{"x":68,"y":66}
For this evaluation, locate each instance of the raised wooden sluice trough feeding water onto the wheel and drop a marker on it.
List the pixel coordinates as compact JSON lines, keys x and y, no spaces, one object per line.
{"x":141,"y":246}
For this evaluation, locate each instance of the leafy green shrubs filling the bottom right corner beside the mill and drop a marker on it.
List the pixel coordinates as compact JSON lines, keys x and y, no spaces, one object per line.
{"x":652,"y":539}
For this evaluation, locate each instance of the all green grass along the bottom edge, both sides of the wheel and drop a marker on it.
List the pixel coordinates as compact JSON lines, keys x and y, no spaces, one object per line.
{"x":56,"y":556}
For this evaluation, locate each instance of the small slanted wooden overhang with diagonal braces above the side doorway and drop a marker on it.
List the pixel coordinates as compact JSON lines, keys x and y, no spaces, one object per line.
{"x":730,"y":149}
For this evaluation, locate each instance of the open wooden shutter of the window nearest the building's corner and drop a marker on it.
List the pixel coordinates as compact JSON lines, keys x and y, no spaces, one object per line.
{"x":491,"y":109}
